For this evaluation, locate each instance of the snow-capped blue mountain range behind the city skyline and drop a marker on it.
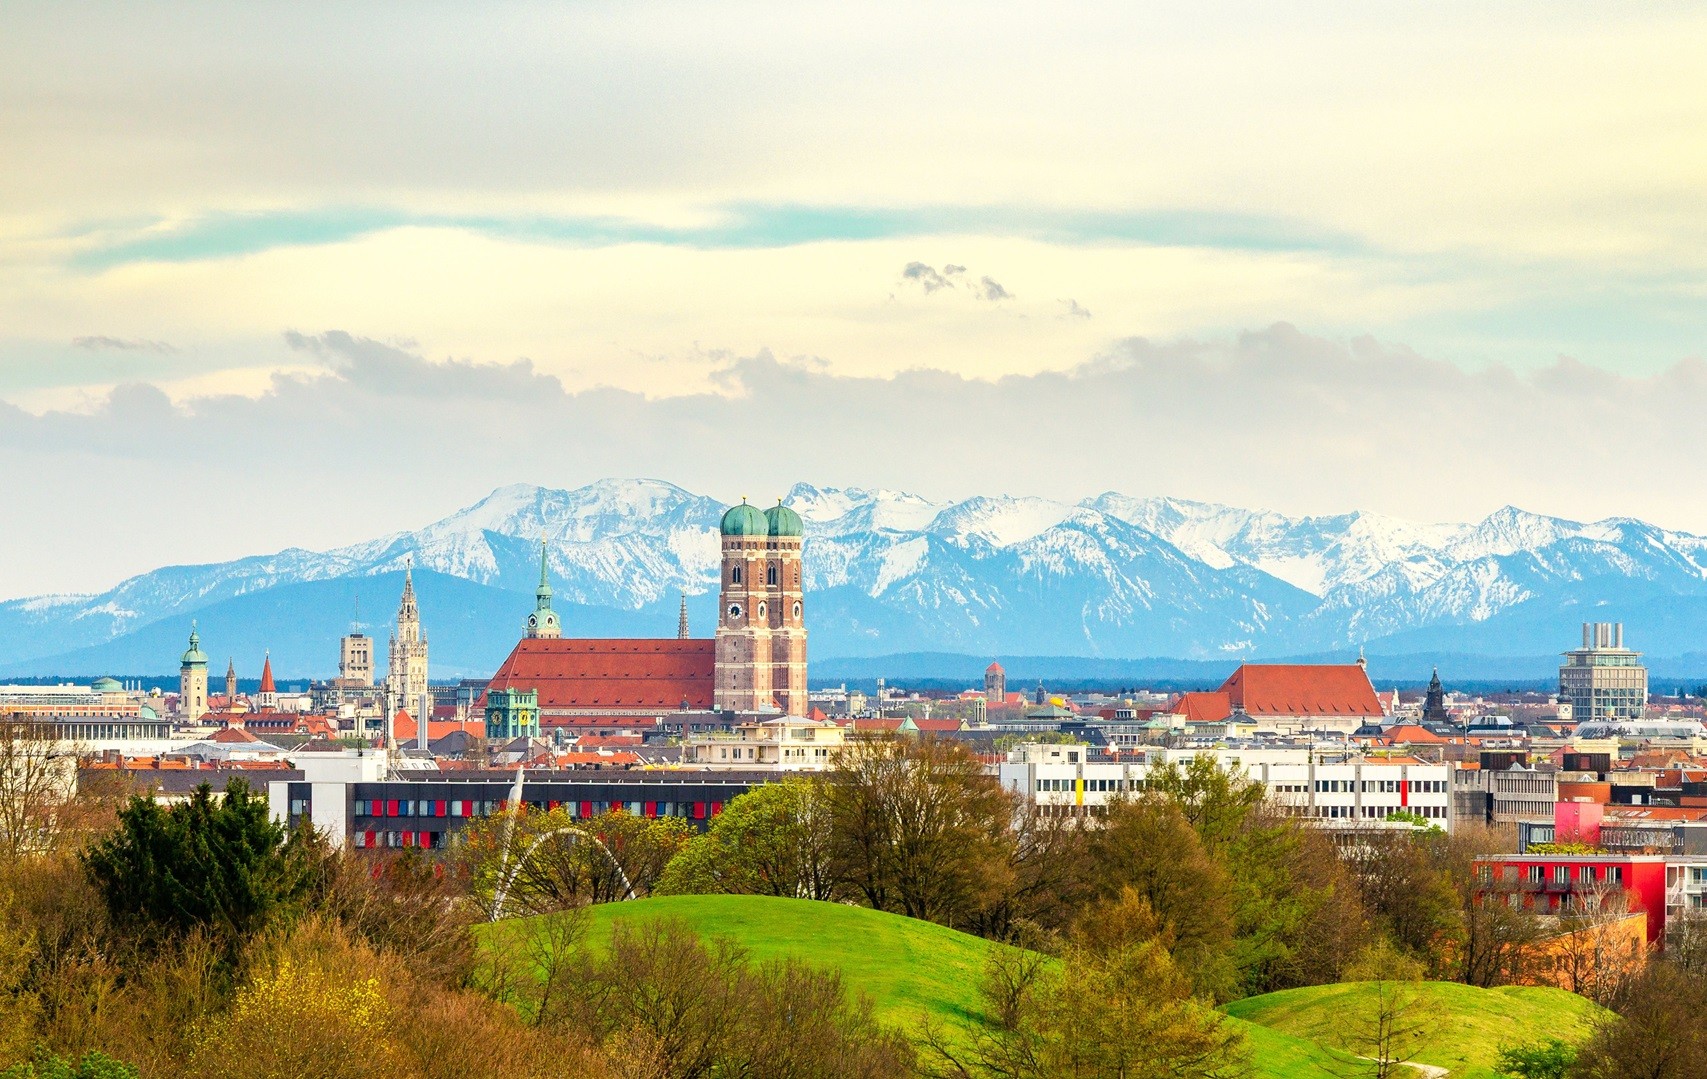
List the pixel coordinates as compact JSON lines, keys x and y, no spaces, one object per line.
{"x":894,"y":573}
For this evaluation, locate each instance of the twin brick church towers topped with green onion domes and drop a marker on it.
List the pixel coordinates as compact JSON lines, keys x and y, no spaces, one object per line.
{"x":760,"y":624}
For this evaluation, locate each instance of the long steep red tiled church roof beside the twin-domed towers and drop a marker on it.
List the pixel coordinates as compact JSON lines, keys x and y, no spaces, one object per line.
{"x":620,"y":674}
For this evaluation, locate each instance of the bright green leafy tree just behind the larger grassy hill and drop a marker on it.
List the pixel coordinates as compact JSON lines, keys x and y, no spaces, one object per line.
{"x":771,"y":841}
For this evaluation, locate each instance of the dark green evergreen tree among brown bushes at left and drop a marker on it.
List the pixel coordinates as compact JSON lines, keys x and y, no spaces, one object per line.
{"x":213,"y":863}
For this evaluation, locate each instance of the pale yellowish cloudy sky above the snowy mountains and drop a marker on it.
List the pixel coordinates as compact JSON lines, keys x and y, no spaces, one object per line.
{"x":305,"y":274}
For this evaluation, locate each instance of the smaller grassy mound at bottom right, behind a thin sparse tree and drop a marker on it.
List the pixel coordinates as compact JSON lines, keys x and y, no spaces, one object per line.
{"x":1469,"y":1025}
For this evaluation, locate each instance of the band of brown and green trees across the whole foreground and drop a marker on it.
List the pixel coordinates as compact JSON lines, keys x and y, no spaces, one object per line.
{"x":204,"y":940}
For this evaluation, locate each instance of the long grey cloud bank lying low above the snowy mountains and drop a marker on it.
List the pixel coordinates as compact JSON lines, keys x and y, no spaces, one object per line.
{"x":1274,"y":417}
